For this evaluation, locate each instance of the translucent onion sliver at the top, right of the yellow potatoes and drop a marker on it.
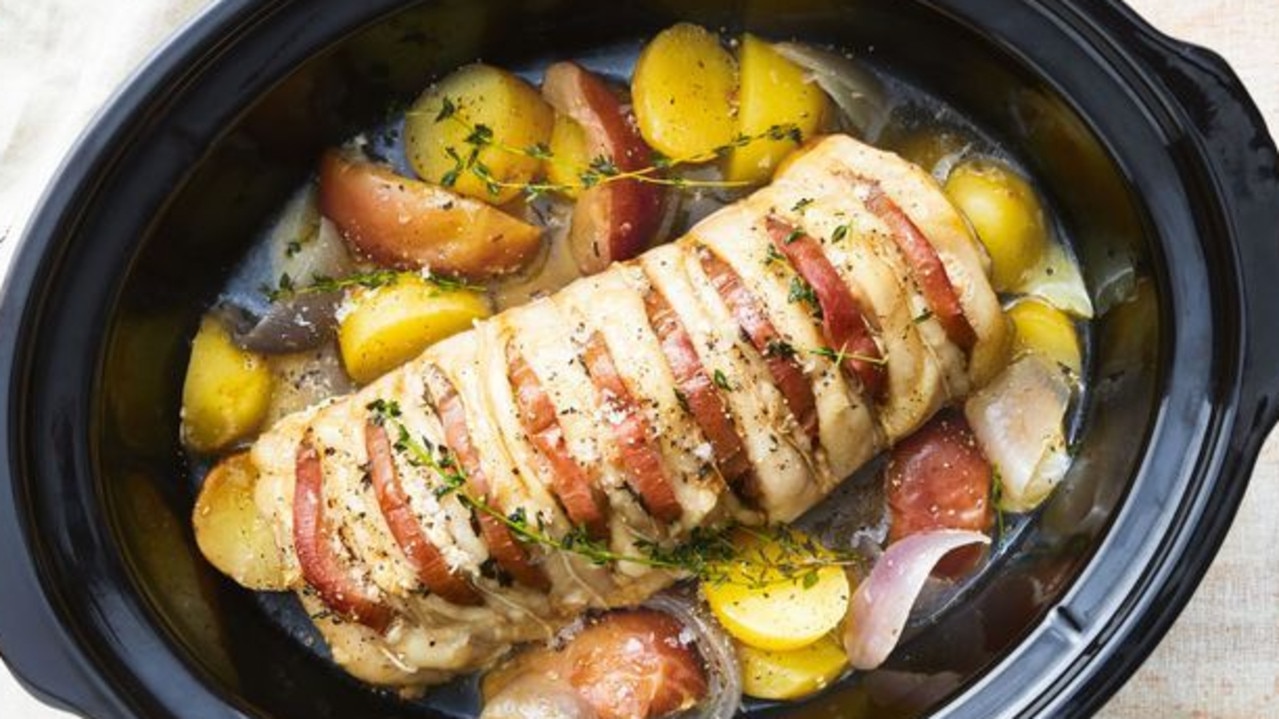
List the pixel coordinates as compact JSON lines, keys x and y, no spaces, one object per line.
{"x":858,"y":93}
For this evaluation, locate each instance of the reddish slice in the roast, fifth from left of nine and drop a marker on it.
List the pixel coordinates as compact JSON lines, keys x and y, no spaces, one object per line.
{"x":640,"y":456}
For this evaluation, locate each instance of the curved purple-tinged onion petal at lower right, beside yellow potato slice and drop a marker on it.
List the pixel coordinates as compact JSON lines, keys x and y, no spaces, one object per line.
{"x":883,"y":602}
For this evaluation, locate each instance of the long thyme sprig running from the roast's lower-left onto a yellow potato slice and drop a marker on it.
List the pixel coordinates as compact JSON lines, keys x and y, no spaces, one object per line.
{"x":710,"y":555}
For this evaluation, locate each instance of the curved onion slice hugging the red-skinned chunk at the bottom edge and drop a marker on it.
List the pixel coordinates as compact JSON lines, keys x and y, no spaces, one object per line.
{"x":725,"y":677}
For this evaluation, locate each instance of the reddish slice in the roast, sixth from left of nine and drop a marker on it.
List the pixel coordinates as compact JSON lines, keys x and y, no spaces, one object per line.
{"x":700,"y":396}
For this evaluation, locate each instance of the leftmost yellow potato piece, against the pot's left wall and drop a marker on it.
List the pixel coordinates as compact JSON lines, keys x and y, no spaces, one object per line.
{"x":227,"y":391}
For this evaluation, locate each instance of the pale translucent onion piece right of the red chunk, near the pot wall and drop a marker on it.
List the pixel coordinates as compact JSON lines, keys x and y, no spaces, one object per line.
{"x":1019,"y":423}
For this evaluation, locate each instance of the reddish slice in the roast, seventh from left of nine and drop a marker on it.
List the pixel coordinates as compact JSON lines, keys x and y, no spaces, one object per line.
{"x":780,"y":356}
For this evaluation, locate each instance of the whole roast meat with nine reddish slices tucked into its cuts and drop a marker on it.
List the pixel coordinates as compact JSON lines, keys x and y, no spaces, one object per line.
{"x":696,"y":386}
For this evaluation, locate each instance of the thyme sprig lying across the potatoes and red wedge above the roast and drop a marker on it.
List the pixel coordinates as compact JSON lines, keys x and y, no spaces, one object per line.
{"x":599,"y":171}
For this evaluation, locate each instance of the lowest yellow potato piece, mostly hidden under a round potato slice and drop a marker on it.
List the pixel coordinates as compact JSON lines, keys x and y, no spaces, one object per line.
{"x":791,"y":675}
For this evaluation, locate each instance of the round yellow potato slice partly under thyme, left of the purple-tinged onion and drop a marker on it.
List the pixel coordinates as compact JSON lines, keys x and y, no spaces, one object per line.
{"x":765,"y":610}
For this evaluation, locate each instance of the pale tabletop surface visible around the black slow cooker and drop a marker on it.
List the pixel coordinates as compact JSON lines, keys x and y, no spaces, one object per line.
{"x":61,"y":61}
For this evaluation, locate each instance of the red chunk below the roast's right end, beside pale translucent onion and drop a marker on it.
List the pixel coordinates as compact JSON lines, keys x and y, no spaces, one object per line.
{"x":938,"y":479}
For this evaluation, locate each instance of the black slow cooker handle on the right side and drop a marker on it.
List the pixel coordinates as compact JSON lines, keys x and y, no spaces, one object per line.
{"x":1245,"y":180}
